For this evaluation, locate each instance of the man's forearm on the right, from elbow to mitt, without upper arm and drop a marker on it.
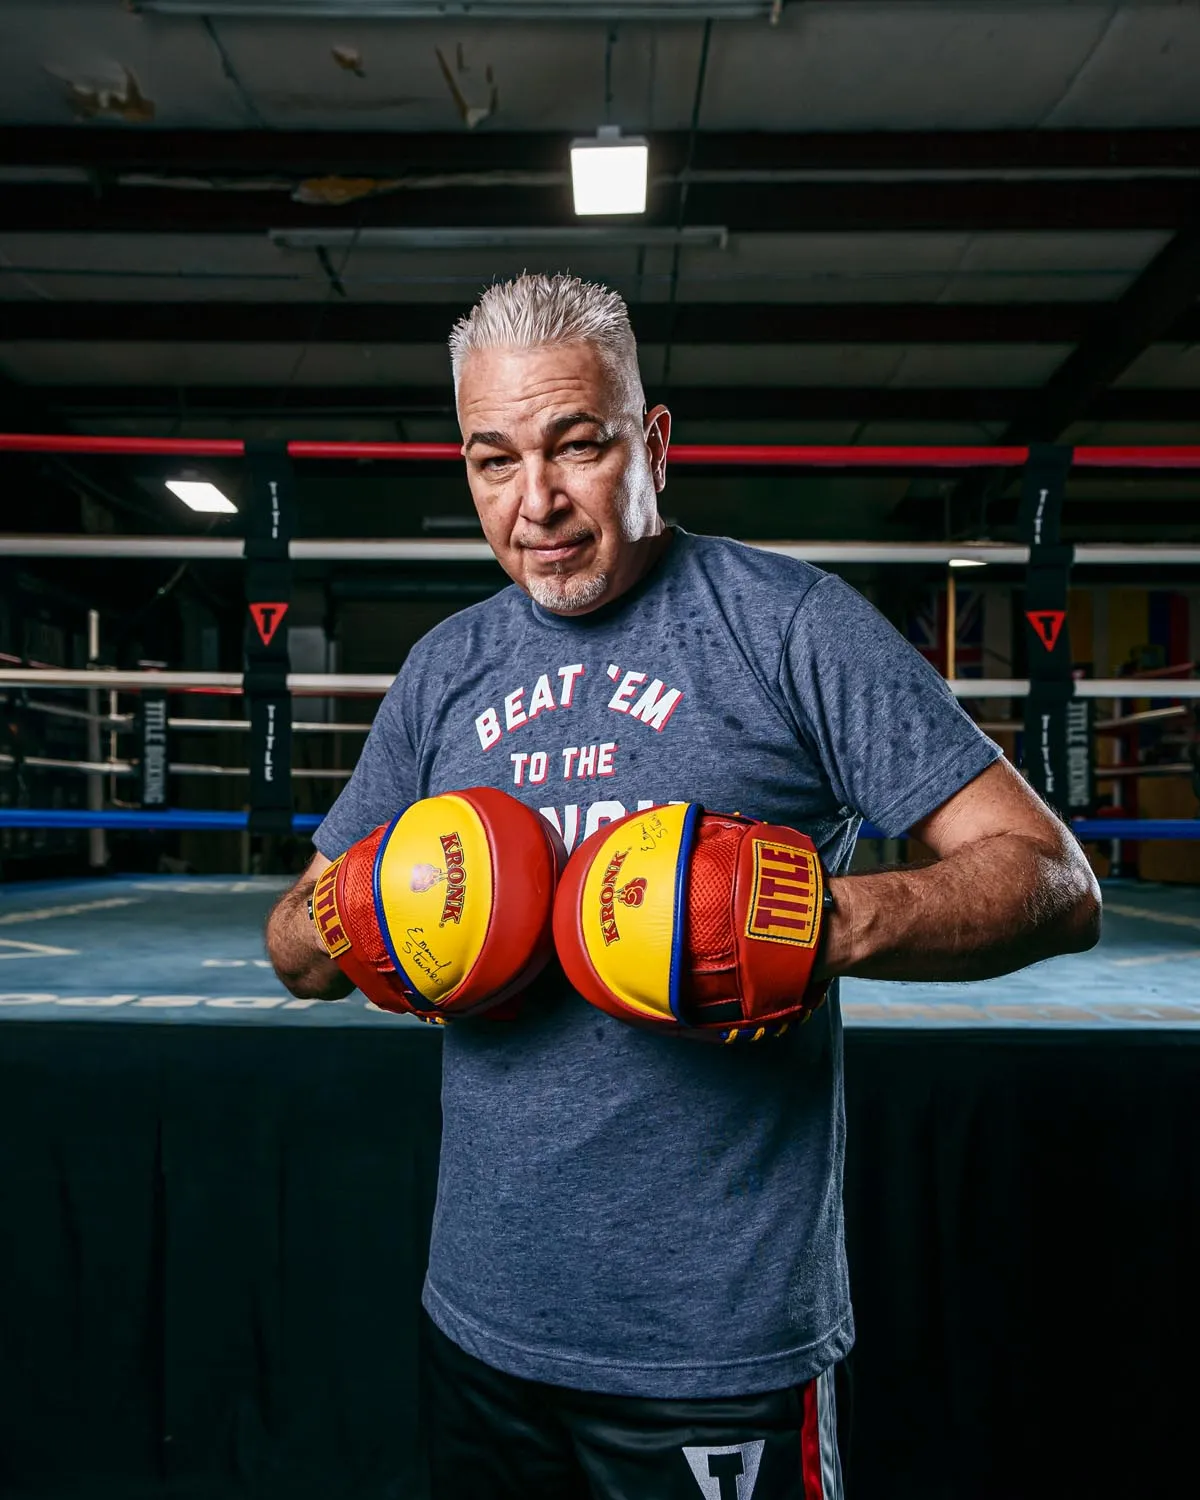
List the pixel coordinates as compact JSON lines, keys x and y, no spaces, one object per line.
{"x":988,"y":910}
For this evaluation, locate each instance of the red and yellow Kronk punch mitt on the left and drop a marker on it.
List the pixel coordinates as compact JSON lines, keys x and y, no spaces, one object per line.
{"x":445,"y":911}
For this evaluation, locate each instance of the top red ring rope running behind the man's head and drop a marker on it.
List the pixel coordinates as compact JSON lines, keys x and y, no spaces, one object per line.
{"x":748,"y":455}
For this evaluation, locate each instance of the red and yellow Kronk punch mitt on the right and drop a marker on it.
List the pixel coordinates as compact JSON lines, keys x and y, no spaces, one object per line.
{"x":694,"y":923}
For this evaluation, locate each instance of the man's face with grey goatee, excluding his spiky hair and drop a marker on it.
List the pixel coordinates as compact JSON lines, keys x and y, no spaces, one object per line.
{"x":563,"y":473}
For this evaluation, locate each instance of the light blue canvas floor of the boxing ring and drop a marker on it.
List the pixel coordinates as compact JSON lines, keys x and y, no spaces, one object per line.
{"x":161,"y":949}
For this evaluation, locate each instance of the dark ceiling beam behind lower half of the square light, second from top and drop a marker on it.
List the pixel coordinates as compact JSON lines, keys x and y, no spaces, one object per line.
{"x":745,"y":208}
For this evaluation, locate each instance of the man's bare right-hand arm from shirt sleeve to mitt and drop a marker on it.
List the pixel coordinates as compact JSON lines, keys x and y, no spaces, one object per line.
{"x":1010,"y":887}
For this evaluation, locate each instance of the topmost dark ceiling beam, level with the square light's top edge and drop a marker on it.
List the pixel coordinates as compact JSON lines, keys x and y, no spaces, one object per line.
{"x":110,"y":149}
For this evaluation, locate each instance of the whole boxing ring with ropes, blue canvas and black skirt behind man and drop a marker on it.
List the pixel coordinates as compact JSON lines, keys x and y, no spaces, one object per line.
{"x":217,"y":1198}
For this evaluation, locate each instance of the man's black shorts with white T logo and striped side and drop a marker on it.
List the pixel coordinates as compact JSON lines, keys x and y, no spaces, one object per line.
{"x":493,"y":1436}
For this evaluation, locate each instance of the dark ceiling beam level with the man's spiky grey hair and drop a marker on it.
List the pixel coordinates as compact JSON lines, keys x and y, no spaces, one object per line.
{"x":653,"y":323}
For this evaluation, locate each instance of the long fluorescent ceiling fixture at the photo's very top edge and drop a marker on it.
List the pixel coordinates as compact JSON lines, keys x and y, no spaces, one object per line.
{"x":473,"y":10}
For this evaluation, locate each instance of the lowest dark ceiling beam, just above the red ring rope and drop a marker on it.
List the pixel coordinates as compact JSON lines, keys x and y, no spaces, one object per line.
{"x":688,"y":403}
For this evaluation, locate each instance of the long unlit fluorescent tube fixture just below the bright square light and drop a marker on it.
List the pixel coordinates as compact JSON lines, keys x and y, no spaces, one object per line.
{"x":566,"y":238}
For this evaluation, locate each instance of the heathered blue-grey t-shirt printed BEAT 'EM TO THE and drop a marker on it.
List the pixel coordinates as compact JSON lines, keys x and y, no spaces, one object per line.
{"x":622,"y":1211}
